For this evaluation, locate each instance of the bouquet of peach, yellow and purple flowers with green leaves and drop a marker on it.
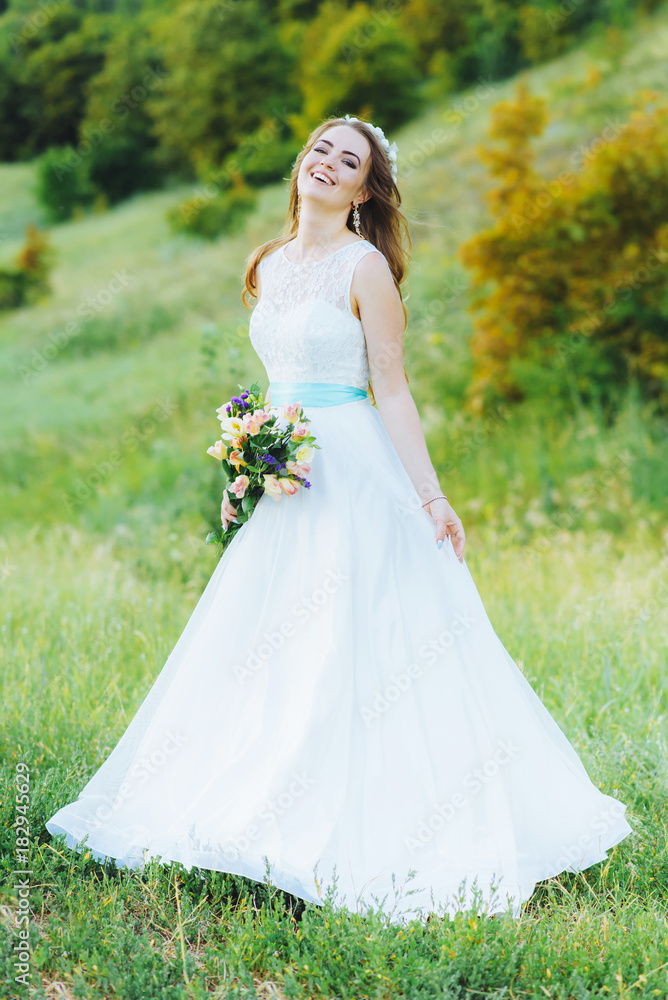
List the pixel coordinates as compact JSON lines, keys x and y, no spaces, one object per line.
{"x":262,"y":449}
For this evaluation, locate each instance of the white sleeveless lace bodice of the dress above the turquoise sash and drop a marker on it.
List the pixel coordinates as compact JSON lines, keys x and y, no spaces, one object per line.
{"x":303,"y":328}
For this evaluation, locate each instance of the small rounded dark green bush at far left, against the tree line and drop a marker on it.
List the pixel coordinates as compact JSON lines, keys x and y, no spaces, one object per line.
{"x":64,"y":182}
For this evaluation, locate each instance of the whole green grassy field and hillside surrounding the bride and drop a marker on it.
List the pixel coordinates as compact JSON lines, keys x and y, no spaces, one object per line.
{"x":107,"y":494}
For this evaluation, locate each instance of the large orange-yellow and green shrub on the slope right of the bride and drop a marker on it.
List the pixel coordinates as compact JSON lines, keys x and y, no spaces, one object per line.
{"x":574,"y":265}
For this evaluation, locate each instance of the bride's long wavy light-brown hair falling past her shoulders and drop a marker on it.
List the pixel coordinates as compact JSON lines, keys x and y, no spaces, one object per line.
{"x":381,"y":221}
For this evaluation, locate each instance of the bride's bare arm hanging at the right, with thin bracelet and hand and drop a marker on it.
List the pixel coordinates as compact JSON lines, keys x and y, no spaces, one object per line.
{"x":382,"y":316}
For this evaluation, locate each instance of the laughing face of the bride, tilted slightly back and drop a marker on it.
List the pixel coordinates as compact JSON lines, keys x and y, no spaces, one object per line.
{"x":334,"y":169}
